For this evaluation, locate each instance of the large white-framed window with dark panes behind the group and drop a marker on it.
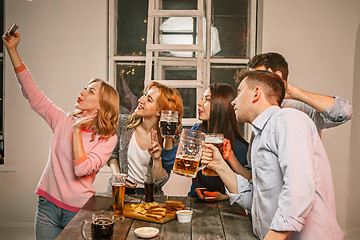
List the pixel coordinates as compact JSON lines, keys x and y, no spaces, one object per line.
{"x":226,"y":31}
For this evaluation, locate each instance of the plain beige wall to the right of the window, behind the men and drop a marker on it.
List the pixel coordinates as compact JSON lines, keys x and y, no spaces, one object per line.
{"x":318,"y":39}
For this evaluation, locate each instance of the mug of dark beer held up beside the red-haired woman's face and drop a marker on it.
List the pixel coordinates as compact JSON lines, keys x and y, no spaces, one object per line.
{"x":169,"y":123}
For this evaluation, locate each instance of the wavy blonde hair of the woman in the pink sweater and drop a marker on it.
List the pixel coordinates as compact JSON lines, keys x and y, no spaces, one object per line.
{"x":104,"y":124}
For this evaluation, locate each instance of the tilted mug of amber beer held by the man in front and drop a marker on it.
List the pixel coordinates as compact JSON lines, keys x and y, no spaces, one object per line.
{"x":187,"y":161}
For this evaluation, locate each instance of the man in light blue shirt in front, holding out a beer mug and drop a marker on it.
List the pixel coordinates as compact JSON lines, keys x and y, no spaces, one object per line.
{"x":291,"y":193}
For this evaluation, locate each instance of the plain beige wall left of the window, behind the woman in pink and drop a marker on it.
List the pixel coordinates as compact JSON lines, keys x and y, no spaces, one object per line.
{"x":64,"y":45}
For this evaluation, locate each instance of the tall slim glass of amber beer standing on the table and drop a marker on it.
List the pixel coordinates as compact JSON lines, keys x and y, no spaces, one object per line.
{"x":118,"y":194}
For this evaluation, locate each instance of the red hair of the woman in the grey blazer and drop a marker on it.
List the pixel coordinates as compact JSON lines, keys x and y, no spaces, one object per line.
{"x":169,"y":99}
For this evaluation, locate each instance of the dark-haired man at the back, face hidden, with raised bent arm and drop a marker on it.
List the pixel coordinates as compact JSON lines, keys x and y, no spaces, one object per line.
{"x":325,"y":111}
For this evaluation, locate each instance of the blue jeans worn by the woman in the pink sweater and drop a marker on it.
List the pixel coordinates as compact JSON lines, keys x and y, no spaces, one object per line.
{"x":50,"y":219}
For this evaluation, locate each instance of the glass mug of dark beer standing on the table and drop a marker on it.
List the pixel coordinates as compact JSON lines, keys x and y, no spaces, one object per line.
{"x":102,"y":226}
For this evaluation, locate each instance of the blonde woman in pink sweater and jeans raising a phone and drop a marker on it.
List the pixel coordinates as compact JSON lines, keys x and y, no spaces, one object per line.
{"x":81,"y":144}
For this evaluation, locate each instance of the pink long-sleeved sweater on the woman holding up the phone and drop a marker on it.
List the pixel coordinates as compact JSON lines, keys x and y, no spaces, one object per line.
{"x":65,"y":182}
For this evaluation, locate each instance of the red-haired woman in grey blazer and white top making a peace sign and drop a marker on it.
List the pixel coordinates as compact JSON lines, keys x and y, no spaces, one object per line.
{"x":139,"y":144}
